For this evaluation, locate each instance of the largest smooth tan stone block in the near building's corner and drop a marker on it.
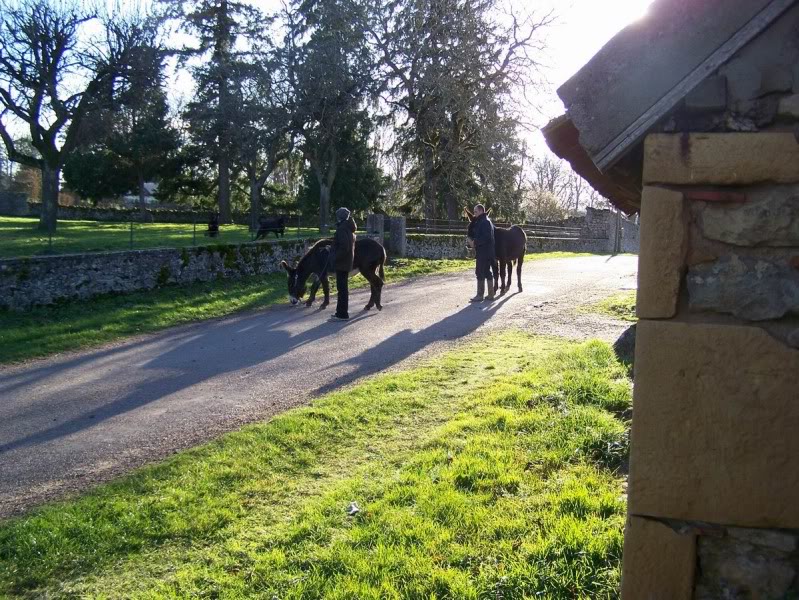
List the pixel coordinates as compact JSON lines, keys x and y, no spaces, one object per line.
{"x":714,"y":435}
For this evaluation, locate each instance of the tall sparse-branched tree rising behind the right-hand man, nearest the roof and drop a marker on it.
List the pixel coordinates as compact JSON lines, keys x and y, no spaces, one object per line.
{"x":449,"y":68}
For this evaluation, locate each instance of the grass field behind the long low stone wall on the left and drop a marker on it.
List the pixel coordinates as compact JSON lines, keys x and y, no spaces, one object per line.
{"x":19,"y":236}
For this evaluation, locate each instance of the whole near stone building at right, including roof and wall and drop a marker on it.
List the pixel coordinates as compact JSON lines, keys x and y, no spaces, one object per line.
{"x":691,"y":117}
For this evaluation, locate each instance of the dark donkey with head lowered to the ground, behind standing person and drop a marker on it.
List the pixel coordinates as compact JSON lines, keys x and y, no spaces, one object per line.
{"x":370,"y":258}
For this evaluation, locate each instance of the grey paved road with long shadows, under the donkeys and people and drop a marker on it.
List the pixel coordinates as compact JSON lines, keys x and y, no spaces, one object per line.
{"x":81,"y":418}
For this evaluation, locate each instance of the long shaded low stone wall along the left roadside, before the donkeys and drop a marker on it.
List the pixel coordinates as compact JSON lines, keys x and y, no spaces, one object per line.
{"x":27,"y":282}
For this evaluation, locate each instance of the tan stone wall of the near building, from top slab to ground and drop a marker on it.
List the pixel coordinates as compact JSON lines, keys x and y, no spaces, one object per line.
{"x":713,"y":505}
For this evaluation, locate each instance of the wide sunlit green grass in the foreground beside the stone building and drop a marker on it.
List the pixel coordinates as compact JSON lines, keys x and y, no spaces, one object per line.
{"x":491,"y":472}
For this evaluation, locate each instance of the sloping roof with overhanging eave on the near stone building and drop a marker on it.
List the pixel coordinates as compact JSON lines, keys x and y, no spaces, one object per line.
{"x":641,"y":74}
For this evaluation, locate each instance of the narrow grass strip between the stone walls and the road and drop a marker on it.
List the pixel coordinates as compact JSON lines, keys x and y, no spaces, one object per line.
{"x":74,"y":325}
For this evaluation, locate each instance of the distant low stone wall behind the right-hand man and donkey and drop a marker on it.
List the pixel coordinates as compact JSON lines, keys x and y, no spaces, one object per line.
{"x":454,"y":246}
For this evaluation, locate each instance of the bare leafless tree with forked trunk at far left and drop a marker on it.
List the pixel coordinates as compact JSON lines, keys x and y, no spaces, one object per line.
{"x":54,"y":75}
